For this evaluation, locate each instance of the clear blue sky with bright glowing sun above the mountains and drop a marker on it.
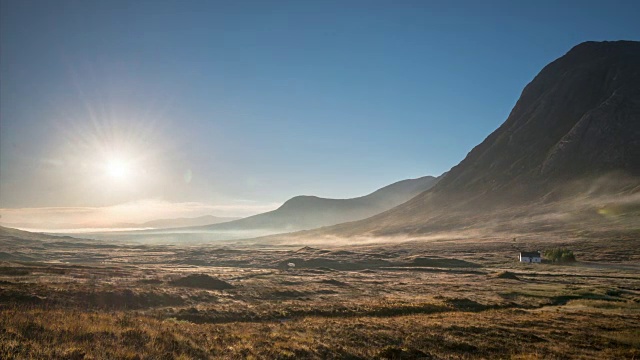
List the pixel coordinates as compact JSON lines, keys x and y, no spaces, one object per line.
{"x":229,"y":108}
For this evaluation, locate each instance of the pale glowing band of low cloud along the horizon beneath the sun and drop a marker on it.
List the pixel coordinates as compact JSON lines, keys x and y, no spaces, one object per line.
{"x":129,"y":213}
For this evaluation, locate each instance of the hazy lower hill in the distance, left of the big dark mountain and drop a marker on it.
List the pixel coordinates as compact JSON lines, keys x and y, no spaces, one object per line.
{"x":308,"y":212}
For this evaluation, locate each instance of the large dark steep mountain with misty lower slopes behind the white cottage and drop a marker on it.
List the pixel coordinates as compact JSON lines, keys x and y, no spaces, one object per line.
{"x":569,"y":150}
